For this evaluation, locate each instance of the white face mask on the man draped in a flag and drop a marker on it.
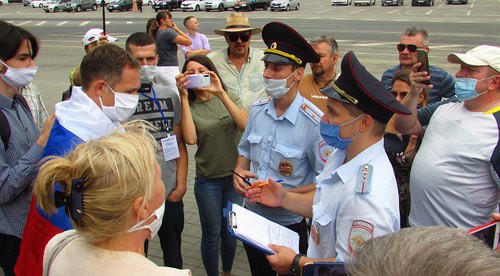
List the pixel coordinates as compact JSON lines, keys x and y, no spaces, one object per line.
{"x":124,"y":108}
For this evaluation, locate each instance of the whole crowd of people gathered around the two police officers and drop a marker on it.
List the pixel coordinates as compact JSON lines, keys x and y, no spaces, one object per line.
{"x":338,"y":156}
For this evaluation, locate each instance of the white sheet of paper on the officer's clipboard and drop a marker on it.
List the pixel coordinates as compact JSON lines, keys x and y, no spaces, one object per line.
{"x":262,"y":231}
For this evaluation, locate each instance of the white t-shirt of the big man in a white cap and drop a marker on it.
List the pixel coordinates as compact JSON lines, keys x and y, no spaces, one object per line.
{"x":452,"y":178}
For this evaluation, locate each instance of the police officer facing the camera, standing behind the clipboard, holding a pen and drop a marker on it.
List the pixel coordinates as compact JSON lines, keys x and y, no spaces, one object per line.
{"x":282,"y":139}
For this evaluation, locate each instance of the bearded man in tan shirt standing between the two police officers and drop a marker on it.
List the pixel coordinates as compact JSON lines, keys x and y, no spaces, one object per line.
{"x":323,"y":72}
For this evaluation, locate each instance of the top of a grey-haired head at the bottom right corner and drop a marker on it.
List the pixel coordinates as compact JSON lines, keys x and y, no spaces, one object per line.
{"x":434,"y":250}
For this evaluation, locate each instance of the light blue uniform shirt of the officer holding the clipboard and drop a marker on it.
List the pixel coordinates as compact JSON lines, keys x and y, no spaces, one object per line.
{"x":349,"y":210}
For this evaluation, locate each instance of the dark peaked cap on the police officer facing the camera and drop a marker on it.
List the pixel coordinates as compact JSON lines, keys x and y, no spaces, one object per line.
{"x":286,"y":46}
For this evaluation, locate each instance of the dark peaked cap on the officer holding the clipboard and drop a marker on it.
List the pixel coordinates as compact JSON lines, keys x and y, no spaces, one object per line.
{"x":357,"y":86}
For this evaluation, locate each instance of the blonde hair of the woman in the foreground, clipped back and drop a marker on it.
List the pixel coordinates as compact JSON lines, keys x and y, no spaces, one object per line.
{"x":116,"y":170}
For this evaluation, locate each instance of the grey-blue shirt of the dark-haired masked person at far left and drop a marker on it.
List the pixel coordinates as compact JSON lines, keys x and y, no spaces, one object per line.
{"x":17,"y":166}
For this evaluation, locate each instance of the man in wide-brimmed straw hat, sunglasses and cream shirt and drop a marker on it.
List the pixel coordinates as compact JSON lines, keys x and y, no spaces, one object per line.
{"x":239,"y":65}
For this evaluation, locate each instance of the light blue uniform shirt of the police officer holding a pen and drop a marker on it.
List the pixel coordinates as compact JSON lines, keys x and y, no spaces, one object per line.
{"x":289,"y":148}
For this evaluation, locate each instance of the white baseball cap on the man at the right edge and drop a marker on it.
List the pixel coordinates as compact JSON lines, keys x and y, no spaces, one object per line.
{"x":483,"y":55}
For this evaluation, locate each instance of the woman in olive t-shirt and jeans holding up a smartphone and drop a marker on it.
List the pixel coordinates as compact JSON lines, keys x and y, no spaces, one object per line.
{"x":214,"y":120}
